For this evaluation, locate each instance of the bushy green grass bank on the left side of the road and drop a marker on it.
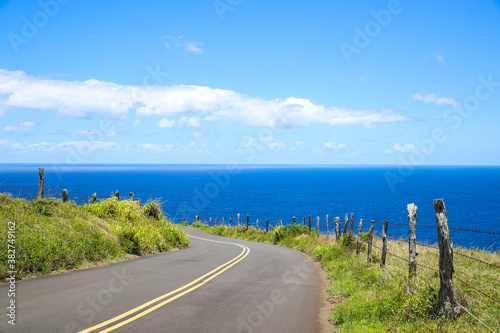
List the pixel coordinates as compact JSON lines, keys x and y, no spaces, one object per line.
{"x":53,"y":236}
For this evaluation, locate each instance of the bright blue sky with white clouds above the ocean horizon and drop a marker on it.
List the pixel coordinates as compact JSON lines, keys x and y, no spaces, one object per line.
{"x":240,"y":81}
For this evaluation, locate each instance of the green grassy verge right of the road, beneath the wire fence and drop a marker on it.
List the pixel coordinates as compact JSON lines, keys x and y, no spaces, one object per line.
{"x":367,"y":298}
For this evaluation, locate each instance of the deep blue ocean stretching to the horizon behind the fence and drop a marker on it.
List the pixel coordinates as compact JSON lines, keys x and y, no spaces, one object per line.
{"x":278,"y":193}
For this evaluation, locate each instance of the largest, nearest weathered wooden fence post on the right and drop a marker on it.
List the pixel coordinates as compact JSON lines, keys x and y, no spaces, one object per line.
{"x":446,"y":269}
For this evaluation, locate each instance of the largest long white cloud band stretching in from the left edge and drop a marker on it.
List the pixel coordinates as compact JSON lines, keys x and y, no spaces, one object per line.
{"x":79,"y":99}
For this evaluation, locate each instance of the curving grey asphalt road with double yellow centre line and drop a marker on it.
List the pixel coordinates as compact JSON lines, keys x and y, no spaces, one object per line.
{"x":215,"y":285}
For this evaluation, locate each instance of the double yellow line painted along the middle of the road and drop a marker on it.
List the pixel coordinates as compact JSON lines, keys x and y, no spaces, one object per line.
{"x":166,"y":298}
